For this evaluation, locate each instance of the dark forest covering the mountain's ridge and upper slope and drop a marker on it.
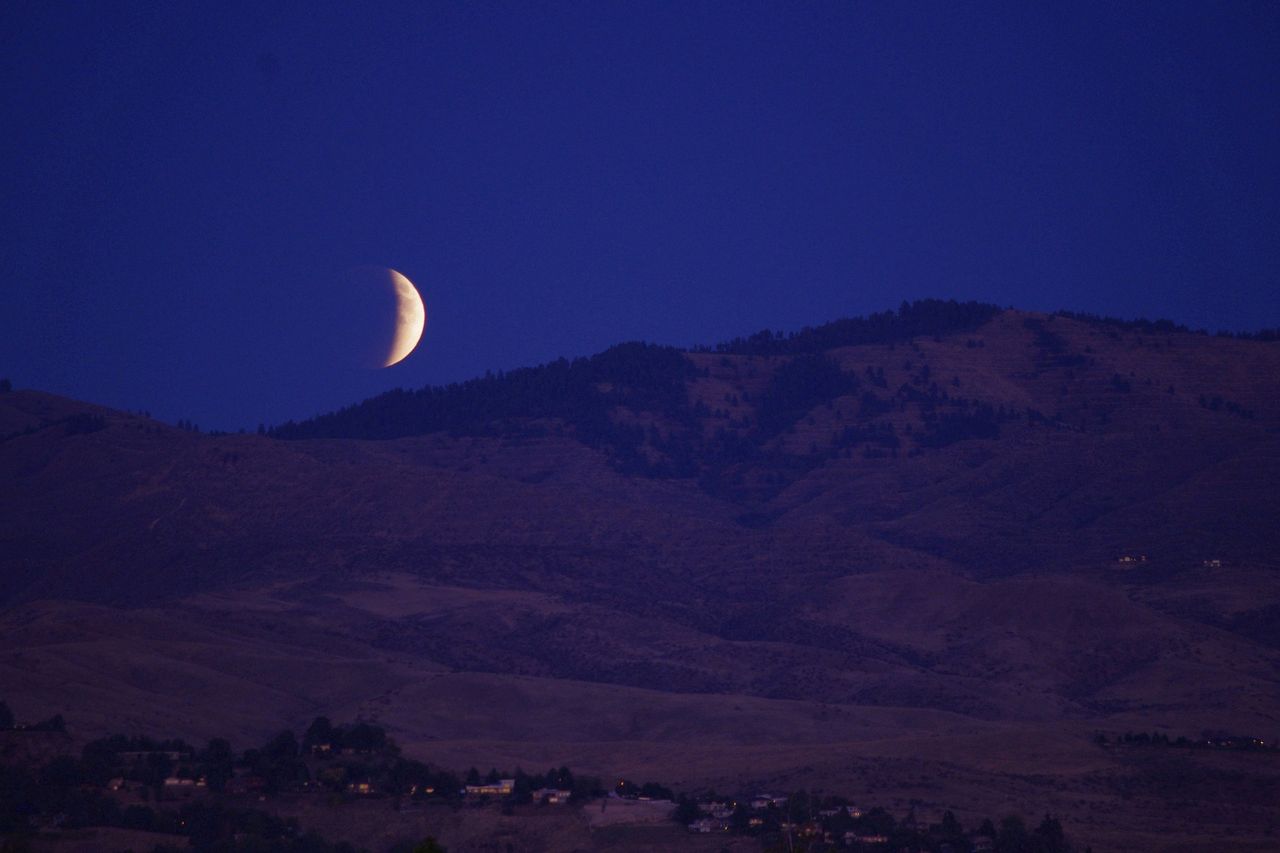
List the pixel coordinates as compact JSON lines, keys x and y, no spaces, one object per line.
{"x":584,"y":396}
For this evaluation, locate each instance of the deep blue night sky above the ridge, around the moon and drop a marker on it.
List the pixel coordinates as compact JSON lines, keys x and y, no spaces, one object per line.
{"x":181,"y":183}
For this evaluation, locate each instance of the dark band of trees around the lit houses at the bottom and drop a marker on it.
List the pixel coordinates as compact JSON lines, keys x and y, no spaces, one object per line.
{"x":74,"y":790}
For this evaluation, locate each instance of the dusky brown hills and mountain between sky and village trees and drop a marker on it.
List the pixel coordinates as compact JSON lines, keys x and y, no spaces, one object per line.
{"x":924,"y":559}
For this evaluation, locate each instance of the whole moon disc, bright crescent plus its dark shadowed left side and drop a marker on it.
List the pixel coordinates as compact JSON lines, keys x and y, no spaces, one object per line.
{"x":377,"y":318}
